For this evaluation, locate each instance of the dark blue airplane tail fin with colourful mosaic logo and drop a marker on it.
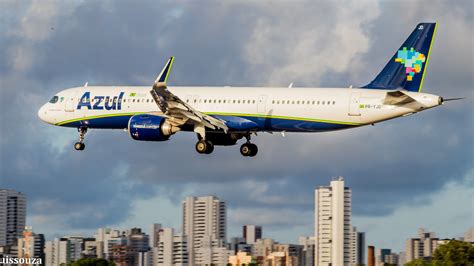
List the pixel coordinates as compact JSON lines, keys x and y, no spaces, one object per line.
{"x":406,"y":70}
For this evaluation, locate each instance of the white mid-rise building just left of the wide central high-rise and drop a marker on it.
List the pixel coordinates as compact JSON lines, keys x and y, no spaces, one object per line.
{"x":172,"y":249}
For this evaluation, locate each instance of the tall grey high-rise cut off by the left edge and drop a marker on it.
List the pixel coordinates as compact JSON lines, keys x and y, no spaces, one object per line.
{"x":12,"y":216}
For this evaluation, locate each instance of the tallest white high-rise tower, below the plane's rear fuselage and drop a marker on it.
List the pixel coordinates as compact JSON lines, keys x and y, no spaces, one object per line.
{"x":333,"y":224}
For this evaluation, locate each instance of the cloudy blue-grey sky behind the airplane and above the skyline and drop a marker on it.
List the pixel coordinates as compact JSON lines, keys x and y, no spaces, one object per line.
{"x":404,"y":174}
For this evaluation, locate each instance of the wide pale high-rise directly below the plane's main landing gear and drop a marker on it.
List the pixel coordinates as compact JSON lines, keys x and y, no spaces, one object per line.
{"x":203,"y":217}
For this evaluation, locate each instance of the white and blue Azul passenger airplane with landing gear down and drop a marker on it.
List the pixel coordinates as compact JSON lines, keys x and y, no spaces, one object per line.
{"x":221,"y":116}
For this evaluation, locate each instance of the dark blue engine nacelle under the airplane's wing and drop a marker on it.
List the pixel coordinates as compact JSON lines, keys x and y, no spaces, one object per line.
{"x":150,"y":128}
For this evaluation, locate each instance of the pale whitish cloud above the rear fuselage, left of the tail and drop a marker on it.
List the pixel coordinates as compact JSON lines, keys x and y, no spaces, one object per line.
{"x":303,"y":42}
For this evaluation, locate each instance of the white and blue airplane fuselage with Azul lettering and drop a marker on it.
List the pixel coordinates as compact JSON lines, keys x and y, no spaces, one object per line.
{"x":276,"y":109}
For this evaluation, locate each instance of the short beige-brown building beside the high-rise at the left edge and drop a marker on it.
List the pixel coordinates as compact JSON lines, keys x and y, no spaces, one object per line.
{"x":31,"y":245}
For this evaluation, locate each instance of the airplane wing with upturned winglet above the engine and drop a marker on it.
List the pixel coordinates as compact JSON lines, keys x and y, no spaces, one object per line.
{"x":176,"y":110}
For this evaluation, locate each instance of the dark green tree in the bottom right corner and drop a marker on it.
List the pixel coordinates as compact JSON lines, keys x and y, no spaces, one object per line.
{"x":454,"y":252}
